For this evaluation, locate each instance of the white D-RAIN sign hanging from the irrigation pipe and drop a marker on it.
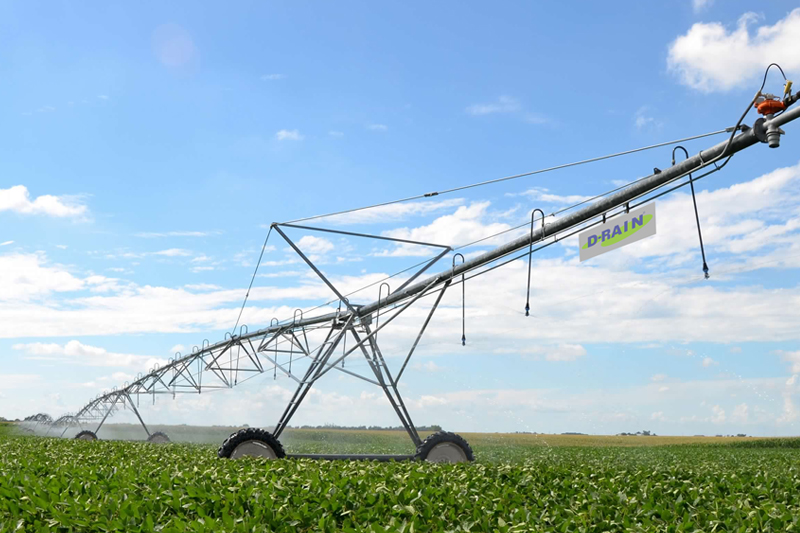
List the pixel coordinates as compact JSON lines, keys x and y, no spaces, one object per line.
{"x":618,"y":232}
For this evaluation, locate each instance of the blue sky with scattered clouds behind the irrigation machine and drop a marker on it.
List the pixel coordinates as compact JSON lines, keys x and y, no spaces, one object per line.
{"x":146,"y":148}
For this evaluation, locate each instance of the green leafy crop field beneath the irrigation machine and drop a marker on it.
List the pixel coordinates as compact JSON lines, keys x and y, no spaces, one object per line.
{"x":519,"y":483}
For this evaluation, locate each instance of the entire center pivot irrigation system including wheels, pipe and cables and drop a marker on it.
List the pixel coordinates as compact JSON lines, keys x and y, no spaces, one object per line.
{"x":285,"y":347}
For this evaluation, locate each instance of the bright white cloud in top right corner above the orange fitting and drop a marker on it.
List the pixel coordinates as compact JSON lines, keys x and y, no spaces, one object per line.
{"x":711,"y":57}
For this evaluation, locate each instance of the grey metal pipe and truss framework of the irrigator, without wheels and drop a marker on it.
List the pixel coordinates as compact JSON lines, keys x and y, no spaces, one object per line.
{"x":243,"y":355}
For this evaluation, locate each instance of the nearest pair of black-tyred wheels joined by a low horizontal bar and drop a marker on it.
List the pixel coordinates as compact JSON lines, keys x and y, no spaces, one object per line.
{"x":441,"y":447}
